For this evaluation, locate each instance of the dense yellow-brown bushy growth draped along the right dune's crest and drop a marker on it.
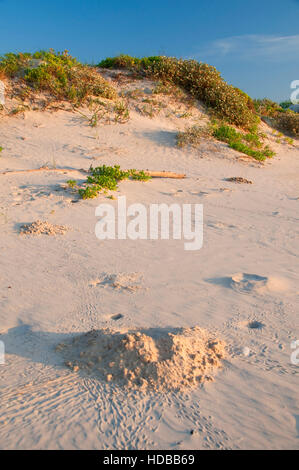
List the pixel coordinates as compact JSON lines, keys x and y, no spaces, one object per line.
{"x":202,"y":81}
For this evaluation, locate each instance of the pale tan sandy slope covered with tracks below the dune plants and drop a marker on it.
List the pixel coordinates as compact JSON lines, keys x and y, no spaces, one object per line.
{"x":48,"y":293}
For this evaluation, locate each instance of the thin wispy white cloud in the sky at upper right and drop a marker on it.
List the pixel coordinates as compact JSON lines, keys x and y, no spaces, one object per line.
{"x":253,"y":46}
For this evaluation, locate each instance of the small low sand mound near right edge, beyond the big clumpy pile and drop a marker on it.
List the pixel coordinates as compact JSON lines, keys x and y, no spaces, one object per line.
{"x":247,"y":283}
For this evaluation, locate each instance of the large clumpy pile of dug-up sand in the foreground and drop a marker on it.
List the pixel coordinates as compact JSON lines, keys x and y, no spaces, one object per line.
{"x":147,"y":359}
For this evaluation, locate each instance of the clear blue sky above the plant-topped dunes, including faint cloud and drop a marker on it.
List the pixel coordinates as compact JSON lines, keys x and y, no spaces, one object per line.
{"x":255,"y":44}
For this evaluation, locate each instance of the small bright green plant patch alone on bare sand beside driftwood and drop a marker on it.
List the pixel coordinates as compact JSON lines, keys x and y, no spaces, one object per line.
{"x":105,"y":178}
